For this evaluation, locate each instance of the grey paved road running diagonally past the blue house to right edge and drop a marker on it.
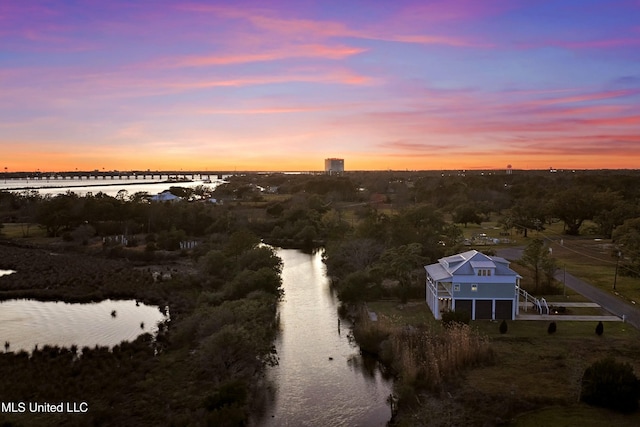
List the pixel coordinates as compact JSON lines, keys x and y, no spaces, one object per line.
{"x":610,"y":302}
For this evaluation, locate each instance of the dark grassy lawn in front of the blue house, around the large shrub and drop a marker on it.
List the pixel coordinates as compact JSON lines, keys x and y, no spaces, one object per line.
{"x":536,"y":366}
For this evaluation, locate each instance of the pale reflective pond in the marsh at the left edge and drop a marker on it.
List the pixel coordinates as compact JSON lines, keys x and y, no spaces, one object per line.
{"x":25,"y":323}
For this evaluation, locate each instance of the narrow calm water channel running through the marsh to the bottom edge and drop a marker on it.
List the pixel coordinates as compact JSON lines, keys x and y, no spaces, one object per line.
{"x":313,"y":390}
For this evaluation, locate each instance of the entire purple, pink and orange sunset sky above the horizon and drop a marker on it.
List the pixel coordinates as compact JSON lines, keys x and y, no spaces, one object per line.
{"x":282,"y":85}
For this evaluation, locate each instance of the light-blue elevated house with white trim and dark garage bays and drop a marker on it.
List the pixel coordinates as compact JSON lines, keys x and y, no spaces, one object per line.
{"x":471,"y":281}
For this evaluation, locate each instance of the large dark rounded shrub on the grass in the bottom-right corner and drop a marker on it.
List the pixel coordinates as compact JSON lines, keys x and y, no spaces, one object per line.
{"x":612,"y":385}
